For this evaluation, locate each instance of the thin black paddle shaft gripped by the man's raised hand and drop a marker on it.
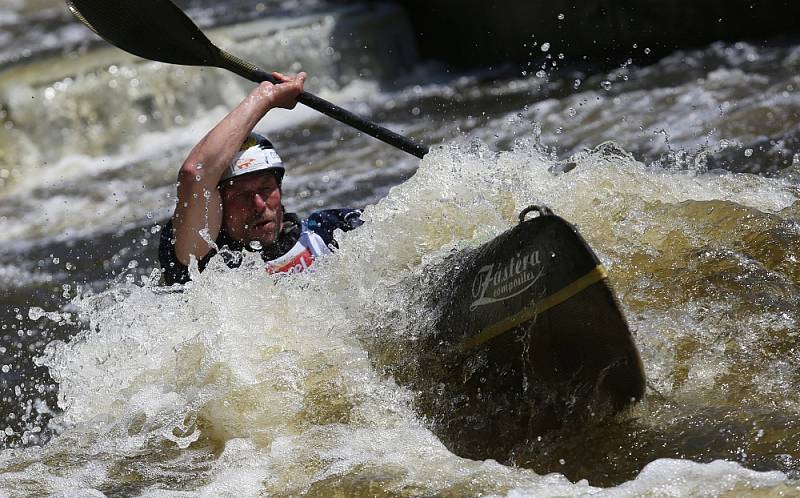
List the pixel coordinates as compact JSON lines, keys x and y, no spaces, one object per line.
{"x":256,"y":75}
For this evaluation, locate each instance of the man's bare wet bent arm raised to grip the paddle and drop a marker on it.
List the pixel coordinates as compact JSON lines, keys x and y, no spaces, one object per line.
{"x":198,"y":213}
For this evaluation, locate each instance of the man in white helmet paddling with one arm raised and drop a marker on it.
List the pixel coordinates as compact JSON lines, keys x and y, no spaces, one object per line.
{"x":229,"y":197}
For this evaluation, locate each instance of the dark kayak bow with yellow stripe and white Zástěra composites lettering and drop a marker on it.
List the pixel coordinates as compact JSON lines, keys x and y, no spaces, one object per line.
{"x":528,"y":336}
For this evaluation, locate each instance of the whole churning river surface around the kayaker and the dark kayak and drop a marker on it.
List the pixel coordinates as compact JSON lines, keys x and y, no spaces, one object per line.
{"x":684,"y":177}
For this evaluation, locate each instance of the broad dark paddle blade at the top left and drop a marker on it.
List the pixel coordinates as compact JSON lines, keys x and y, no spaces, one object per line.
{"x":152,"y":29}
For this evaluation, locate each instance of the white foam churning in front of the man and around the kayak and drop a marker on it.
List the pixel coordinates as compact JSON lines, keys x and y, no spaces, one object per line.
{"x":274,"y":375}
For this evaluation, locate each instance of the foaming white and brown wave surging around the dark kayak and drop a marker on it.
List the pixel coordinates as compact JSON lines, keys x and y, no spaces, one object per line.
{"x":271,"y":382}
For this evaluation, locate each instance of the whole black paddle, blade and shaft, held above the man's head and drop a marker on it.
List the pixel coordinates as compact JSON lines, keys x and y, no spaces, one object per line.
{"x":158,"y":30}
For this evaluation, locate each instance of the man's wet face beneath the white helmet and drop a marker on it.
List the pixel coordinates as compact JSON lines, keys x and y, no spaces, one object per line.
{"x":251,"y":208}
